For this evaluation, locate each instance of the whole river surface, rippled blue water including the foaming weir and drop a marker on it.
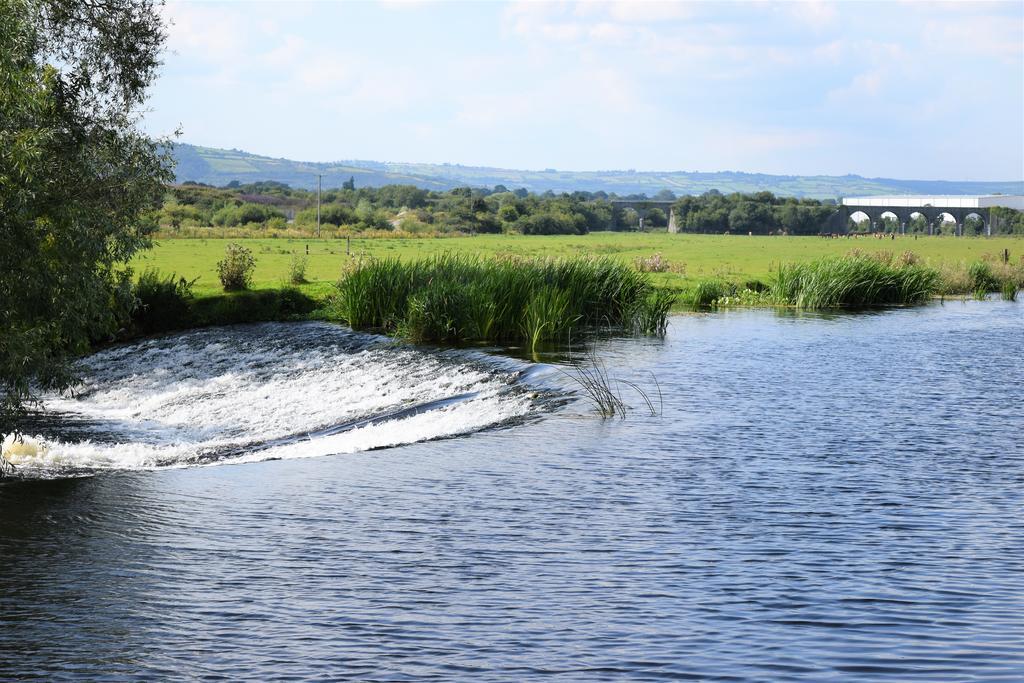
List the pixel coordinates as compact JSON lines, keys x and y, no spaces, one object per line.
{"x":824,"y":499}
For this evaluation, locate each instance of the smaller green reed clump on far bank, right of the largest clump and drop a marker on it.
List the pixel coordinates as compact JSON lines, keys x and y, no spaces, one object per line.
{"x":855,"y":282}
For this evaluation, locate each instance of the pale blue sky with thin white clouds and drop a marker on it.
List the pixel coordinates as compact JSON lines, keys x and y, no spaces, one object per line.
{"x":891,"y":90}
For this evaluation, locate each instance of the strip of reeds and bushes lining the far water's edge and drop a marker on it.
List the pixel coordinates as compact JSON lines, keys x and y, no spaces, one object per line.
{"x":511,"y":300}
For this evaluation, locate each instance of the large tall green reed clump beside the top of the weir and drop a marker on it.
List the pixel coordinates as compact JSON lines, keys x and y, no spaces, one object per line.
{"x":457,"y":298}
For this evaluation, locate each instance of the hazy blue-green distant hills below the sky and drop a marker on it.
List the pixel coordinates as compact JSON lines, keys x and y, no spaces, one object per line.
{"x":220,"y":167}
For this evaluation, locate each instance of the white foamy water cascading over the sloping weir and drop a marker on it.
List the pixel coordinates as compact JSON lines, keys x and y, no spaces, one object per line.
{"x":269,"y":392}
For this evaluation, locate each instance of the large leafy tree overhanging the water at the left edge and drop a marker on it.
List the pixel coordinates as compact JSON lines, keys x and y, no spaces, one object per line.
{"x":76,"y":178}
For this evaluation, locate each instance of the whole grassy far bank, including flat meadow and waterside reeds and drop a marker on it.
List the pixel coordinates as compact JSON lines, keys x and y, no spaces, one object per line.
{"x":456,"y":290}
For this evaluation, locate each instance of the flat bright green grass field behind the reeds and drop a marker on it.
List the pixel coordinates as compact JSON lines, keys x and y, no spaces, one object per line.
{"x":694,"y":258}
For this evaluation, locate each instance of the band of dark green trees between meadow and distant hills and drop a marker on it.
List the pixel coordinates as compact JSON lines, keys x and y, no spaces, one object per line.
{"x":272,"y":208}
